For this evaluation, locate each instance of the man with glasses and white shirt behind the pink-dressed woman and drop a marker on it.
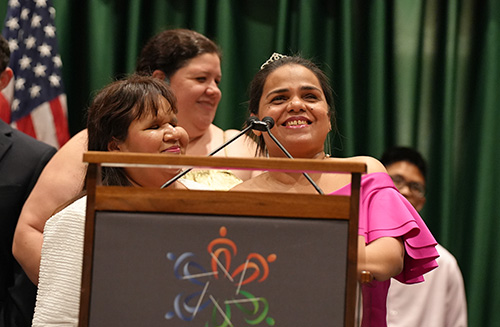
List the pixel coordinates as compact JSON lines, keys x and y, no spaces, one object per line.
{"x":440,"y":300}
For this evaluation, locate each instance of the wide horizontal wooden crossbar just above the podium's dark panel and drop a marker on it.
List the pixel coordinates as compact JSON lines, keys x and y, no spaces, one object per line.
{"x":112,"y":198}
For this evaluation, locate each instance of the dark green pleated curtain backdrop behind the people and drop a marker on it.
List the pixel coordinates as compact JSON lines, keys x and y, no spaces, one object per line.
{"x":406,"y":72}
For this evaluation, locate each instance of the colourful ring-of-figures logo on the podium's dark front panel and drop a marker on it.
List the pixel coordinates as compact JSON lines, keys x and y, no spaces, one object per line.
{"x":222,"y":288}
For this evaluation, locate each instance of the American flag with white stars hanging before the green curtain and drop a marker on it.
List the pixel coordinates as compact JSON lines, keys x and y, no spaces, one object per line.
{"x":34,"y":102}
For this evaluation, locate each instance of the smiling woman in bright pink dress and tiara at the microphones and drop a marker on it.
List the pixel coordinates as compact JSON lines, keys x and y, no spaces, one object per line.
{"x":393,"y":239}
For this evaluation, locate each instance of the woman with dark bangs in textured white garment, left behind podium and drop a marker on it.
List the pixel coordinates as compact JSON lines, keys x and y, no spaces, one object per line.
{"x":137,"y":114}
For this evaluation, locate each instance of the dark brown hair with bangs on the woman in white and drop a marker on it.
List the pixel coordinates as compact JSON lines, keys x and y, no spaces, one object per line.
{"x":113,"y":110}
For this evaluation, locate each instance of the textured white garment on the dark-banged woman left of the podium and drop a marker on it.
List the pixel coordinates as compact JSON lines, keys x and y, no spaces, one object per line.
{"x":59,"y":283}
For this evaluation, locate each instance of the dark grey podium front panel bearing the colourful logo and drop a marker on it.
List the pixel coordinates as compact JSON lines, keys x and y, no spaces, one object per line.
{"x":174,"y":269}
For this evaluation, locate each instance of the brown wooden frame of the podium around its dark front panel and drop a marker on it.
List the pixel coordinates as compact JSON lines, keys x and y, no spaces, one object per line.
{"x":115,"y":198}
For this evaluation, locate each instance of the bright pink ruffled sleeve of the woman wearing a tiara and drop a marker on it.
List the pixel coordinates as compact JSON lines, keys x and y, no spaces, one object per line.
{"x":384,"y":212}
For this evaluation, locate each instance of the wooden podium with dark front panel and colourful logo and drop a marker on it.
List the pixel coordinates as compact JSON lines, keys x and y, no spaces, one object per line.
{"x":160,"y":257}
